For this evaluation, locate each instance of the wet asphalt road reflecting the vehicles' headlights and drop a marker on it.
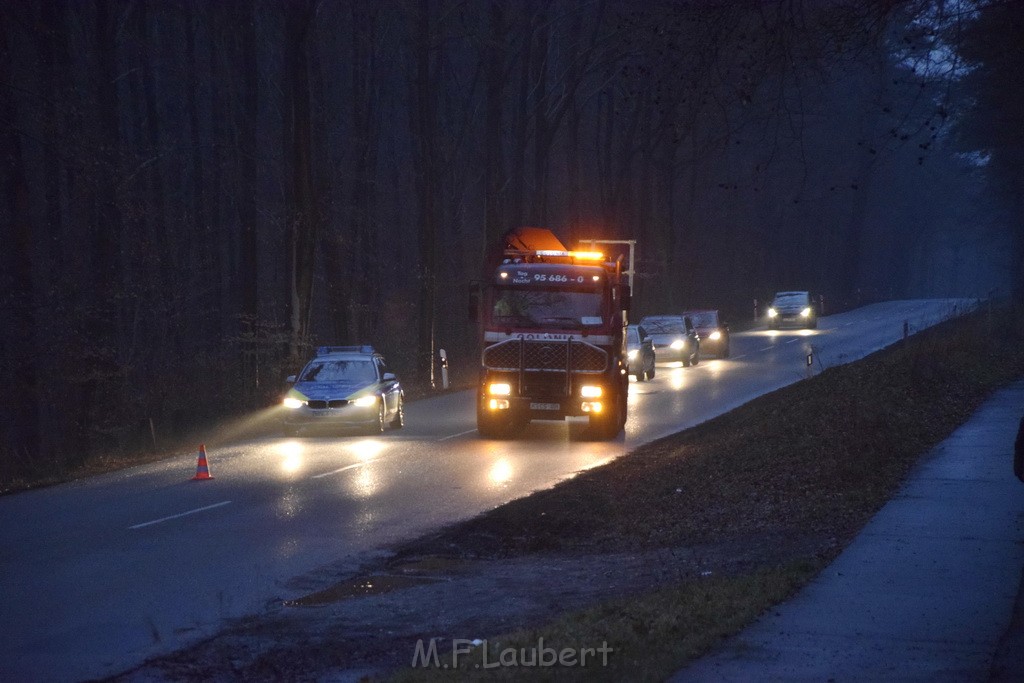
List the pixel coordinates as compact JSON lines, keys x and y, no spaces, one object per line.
{"x":99,"y":575}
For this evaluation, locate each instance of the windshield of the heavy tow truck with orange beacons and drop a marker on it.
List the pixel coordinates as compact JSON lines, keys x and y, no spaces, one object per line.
{"x":547,"y":310}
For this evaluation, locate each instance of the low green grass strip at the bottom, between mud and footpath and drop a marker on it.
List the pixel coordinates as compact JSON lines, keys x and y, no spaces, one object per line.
{"x":649,"y":635}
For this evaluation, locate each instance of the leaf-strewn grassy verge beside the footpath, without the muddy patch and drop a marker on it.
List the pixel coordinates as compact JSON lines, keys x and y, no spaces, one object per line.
{"x":779,"y":487}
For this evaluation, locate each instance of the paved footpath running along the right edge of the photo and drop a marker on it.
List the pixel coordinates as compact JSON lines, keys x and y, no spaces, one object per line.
{"x":927,"y":592}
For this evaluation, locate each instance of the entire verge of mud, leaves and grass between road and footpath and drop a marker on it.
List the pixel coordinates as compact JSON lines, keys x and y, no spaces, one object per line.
{"x":660,"y":553}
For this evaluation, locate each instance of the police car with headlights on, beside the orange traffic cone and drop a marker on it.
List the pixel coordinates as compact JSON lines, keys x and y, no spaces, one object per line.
{"x":345,"y":387}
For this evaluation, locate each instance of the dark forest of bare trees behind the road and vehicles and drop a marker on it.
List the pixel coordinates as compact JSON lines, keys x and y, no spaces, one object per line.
{"x":196,"y":194}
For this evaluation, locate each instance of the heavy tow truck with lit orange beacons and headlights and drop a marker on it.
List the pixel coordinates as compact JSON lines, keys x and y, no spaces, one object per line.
{"x":554,"y":338}
